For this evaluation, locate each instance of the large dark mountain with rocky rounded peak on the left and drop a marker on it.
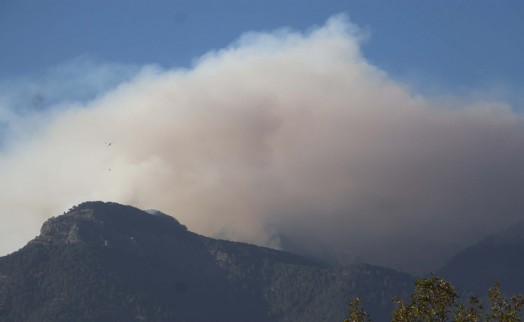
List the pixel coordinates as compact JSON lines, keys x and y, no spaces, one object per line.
{"x":110,"y":262}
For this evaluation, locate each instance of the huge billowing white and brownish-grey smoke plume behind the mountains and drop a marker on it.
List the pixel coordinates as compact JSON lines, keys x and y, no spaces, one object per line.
{"x":285,"y":139}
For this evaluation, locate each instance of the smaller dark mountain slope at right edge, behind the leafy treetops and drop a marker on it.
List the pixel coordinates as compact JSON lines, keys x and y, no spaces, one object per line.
{"x":496,"y":258}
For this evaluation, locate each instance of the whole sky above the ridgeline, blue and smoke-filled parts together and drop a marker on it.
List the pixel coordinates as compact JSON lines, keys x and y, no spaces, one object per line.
{"x":337,"y":125}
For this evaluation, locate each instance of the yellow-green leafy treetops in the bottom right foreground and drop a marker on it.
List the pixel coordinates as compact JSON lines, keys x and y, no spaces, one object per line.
{"x":435,"y":300}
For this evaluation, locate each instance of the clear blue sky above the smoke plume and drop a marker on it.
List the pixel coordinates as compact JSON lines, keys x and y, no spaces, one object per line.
{"x":449,"y":44}
